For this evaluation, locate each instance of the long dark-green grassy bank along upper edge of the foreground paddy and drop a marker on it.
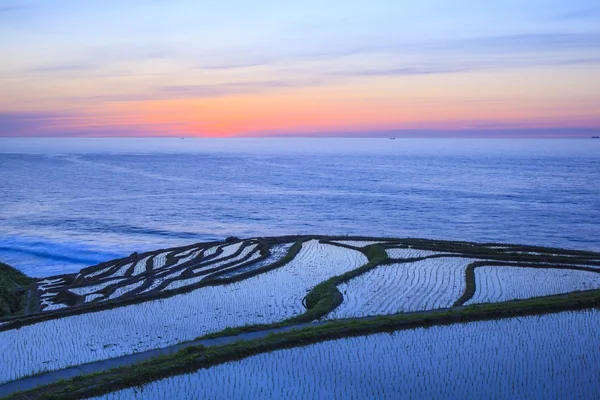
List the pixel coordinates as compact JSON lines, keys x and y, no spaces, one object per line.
{"x":193,"y":358}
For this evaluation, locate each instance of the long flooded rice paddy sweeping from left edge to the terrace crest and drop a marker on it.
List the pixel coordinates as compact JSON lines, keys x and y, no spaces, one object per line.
{"x":269,"y":297}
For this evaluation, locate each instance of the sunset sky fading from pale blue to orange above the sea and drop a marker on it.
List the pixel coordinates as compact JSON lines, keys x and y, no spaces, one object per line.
{"x":184,"y":68}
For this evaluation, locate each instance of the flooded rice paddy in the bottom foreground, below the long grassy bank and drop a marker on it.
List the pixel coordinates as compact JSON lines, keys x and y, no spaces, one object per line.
{"x":523,"y":358}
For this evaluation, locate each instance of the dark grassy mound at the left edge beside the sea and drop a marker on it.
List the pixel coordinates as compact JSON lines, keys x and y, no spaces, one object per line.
{"x":13,"y":291}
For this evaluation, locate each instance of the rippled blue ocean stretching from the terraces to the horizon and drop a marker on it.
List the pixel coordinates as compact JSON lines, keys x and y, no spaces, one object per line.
{"x":70,"y":203}
